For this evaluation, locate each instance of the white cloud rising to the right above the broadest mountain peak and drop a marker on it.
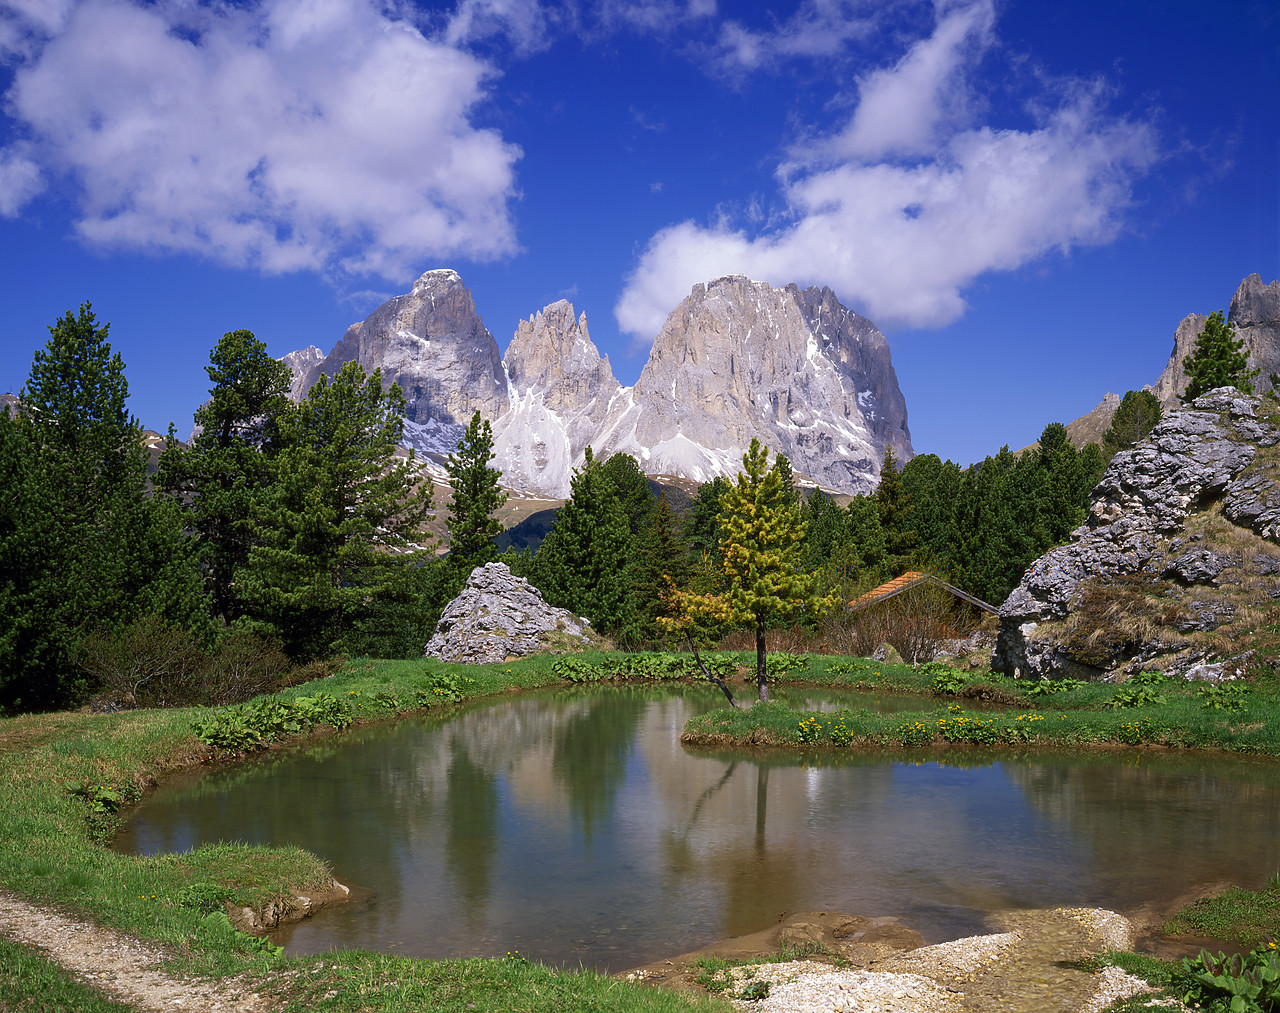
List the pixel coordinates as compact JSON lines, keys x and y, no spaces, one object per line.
{"x":903,"y":238}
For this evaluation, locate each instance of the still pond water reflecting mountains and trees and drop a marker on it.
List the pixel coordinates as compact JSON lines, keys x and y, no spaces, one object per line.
{"x":574,"y":828}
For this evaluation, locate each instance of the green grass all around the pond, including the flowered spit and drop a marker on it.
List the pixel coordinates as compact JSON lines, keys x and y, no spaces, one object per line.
{"x":71,"y":775}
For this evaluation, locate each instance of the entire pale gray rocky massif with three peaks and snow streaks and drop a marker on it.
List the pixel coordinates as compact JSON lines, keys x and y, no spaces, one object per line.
{"x":738,"y":359}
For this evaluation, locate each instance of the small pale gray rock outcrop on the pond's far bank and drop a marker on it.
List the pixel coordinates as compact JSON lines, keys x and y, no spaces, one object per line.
{"x":499,"y":617}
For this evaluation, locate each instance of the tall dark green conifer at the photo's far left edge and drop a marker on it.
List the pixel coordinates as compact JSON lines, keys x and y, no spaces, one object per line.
{"x":83,"y":547}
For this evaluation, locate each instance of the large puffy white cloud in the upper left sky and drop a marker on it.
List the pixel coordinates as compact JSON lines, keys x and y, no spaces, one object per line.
{"x":284,"y":135}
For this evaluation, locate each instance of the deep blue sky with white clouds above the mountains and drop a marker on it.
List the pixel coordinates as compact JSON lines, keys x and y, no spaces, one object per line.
{"x":1026,"y":198}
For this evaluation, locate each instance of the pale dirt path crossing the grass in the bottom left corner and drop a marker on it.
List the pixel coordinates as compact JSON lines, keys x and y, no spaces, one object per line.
{"x":120,"y":966}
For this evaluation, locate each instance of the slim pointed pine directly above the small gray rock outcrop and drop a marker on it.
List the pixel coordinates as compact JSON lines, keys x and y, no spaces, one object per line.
{"x":477,"y":498}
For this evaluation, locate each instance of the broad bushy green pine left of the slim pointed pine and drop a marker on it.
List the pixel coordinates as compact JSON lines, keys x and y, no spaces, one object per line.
{"x":336,"y":539}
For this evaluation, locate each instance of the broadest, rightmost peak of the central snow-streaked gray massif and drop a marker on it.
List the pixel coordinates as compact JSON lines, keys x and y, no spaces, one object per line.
{"x":796,"y":368}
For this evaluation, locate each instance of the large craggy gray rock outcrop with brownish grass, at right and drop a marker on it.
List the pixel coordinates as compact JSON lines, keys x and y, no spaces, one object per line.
{"x":1188,"y":512}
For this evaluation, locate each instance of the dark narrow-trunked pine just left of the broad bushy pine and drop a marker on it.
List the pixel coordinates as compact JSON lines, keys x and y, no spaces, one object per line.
{"x":228,"y":466}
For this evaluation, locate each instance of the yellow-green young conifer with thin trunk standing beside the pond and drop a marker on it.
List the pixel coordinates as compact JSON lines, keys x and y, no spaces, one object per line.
{"x":765,"y":558}
